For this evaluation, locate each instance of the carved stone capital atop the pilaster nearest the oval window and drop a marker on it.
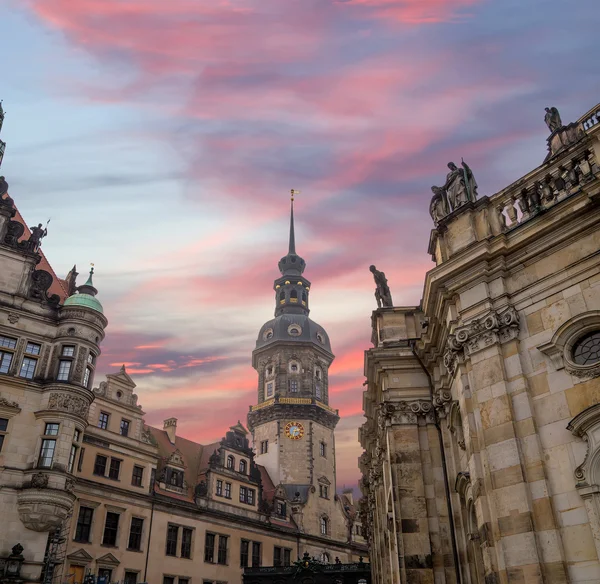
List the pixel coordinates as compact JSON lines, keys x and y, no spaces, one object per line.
{"x":498,"y":326}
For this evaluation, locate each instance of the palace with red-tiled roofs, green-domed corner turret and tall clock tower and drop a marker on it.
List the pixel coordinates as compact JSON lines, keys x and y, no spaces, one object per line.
{"x":87,"y":488}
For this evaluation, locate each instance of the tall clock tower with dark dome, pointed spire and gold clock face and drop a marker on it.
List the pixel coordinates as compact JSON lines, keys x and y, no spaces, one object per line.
{"x":292,"y":423}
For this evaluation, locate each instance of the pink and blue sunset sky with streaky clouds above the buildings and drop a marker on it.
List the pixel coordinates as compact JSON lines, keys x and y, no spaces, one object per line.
{"x":162,"y":138}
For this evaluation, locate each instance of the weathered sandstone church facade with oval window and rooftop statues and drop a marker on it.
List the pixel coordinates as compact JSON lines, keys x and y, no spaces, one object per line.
{"x":481,"y":460}
